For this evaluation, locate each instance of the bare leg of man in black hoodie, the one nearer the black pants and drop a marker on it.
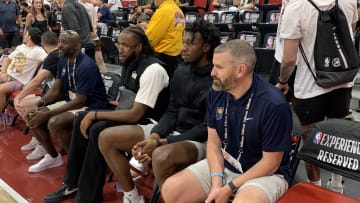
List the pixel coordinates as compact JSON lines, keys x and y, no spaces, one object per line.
{"x":113,"y":142}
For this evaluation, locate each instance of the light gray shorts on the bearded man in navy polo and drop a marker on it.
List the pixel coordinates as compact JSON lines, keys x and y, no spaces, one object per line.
{"x":274,"y":186}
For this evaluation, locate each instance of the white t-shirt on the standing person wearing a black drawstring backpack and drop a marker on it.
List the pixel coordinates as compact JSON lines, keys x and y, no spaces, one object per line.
{"x":299,"y":22}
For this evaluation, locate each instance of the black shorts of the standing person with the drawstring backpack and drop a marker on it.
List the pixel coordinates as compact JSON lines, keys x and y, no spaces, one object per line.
{"x":334,"y":104}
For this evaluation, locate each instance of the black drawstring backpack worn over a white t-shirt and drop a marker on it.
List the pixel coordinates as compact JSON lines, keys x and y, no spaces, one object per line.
{"x":336,"y":59}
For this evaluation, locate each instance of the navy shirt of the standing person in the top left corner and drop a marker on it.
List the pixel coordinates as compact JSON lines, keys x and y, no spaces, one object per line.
{"x":8,"y":16}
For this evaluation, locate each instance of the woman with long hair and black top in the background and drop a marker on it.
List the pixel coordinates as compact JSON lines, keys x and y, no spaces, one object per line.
{"x":37,"y":16}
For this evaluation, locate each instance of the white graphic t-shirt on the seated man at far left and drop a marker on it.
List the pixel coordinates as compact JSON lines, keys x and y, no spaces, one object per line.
{"x":24,"y":62}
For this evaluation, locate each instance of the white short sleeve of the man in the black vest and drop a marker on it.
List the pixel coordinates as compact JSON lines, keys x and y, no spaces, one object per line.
{"x":153,"y":80}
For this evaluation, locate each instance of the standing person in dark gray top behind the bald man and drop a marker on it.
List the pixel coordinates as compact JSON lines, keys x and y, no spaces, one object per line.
{"x":75,"y":17}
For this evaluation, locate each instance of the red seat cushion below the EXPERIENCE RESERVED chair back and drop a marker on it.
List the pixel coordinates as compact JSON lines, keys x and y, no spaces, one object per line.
{"x":309,"y":193}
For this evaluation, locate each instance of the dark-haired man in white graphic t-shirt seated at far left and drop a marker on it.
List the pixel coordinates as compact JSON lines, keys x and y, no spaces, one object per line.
{"x":20,"y":66}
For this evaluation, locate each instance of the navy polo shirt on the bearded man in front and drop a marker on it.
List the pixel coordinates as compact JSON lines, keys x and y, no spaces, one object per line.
{"x":267,"y":128}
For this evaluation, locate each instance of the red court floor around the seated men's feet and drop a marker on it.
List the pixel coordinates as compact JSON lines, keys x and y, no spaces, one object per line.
{"x":33,"y":187}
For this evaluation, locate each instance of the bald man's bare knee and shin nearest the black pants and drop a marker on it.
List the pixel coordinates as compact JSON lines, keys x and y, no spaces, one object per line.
{"x":60,"y":126}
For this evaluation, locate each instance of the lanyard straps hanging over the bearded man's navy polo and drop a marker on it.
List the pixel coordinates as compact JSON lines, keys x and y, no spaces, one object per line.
{"x":247,"y":108}
